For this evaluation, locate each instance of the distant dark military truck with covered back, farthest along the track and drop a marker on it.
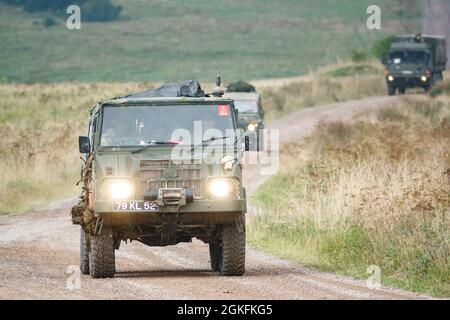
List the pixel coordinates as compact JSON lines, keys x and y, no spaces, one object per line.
{"x":414,"y":61}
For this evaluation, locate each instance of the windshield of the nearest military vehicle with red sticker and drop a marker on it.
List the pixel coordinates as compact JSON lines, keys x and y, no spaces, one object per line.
{"x":181,"y":124}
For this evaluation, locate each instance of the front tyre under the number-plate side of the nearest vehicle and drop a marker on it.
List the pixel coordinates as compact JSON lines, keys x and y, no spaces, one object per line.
{"x":101,"y":254}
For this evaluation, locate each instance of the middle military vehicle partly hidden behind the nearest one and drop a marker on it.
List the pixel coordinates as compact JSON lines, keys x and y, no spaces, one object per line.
{"x":251,"y":113}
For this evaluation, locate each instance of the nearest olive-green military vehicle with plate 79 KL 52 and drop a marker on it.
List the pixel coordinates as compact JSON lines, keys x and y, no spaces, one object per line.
{"x":142,"y":182}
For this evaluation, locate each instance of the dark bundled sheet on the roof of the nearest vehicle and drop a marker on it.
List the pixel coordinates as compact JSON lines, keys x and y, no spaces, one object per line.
{"x":187,"y":88}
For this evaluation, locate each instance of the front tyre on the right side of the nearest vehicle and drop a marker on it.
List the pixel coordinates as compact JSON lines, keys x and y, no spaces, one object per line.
{"x":233,"y":248}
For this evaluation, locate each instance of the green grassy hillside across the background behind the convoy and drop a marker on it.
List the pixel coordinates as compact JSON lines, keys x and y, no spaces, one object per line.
{"x":170,"y":40}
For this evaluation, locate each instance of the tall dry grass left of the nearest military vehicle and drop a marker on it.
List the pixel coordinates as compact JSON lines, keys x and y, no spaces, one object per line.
{"x":39,"y":125}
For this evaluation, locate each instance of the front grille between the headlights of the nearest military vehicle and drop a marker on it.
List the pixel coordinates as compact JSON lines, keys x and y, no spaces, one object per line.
{"x":155,"y":174}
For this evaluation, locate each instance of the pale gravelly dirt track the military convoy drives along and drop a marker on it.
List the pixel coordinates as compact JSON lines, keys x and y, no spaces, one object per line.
{"x":36,"y":250}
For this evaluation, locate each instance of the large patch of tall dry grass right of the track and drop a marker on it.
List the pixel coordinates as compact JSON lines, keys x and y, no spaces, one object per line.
{"x":373,"y":192}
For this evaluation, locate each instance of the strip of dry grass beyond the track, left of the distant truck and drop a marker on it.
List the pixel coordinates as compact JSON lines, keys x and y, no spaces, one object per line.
{"x":335,"y":83}
